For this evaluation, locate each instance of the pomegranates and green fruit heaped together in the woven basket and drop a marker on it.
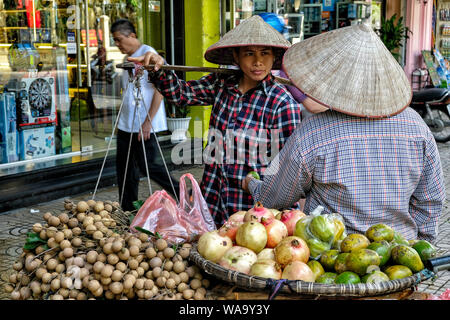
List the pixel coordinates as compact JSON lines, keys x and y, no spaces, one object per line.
{"x":315,"y":248}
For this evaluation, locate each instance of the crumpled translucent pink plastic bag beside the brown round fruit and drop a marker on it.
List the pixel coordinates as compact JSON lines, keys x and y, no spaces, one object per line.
{"x":176,"y":223}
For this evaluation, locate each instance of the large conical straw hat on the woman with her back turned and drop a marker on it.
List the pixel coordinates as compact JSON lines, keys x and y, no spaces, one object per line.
{"x":349,"y":70}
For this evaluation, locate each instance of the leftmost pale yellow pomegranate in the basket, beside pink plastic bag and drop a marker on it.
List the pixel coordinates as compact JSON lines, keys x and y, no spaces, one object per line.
{"x":212,"y":246}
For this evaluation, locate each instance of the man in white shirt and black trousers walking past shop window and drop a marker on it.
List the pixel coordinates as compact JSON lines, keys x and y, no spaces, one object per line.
{"x":132,"y":117}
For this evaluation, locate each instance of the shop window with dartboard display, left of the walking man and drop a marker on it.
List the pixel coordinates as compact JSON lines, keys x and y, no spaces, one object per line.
{"x":60,"y":90}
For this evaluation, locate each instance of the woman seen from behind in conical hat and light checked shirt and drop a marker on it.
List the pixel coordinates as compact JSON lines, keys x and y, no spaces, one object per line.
{"x":364,"y":153}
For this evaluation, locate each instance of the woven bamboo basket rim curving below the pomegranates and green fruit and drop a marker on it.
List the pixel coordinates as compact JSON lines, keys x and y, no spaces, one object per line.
{"x":311,"y":289}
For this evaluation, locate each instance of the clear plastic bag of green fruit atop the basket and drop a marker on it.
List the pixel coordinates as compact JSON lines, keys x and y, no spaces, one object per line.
{"x":321,"y":231}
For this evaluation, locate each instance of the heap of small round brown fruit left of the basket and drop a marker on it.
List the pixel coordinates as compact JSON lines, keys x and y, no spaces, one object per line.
{"x":87,"y":252}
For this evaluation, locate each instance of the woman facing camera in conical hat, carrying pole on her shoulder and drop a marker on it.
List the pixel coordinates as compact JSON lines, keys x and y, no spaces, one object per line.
{"x":252,"y":114}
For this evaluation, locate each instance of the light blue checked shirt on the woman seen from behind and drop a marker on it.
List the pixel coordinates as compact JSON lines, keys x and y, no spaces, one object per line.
{"x":369,"y":171}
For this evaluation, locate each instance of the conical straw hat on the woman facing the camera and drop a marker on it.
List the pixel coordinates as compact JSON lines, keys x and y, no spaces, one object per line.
{"x":253,"y":31}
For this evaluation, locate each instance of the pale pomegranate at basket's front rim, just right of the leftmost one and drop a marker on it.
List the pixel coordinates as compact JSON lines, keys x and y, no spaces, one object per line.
{"x":238,"y":259}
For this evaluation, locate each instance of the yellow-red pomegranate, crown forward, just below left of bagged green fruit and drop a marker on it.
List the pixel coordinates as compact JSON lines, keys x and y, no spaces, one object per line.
{"x":290,"y":249}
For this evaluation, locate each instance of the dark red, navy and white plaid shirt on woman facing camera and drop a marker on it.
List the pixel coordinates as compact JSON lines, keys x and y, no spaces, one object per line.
{"x":242,"y":127}
